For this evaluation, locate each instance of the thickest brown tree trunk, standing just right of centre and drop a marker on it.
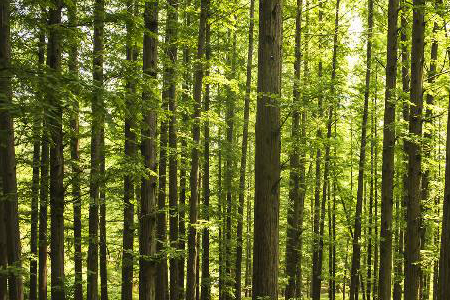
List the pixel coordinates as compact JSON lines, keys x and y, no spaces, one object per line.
{"x":267,"y":152}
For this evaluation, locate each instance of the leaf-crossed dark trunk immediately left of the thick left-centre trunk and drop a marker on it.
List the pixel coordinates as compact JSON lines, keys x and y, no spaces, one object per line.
{"x":130,"y":153}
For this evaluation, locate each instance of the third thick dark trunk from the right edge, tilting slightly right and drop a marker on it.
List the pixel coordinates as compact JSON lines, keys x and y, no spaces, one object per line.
{"x":387,"y":177}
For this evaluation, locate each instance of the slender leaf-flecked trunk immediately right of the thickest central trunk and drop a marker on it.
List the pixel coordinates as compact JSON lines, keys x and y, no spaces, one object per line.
{"x":292,"y":235}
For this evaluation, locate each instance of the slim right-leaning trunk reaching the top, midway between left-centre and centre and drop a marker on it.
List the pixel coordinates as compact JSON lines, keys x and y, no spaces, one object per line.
{"x":193,"y":180}
